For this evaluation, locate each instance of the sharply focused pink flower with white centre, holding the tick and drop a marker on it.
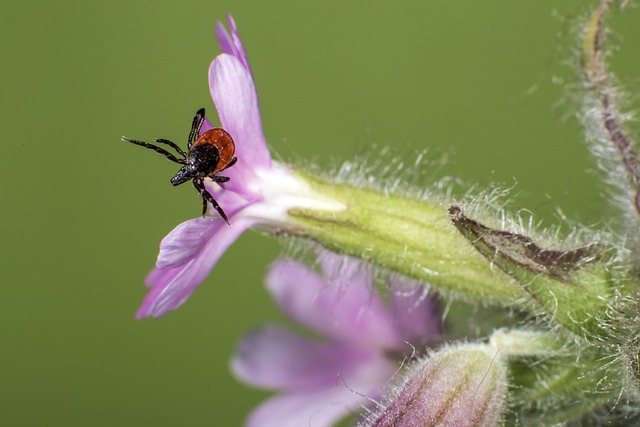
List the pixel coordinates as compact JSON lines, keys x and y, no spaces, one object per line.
{"x":260,"y":192}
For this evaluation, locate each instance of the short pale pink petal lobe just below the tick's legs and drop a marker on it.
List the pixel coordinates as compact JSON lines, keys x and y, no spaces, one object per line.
{"x":186,"y":240}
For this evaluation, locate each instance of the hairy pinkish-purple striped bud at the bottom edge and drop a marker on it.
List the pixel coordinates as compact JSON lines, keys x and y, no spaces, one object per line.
{"x":457,"y":386}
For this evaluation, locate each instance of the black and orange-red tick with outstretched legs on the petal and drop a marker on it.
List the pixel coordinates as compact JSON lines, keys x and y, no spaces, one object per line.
{"x":206,"y":156}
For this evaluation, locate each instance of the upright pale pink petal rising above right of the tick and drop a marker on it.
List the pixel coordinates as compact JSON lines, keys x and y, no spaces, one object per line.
{"x":236,"y":100}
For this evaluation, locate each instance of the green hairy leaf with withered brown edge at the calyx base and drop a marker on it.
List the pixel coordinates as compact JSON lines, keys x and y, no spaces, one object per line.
{"x":573,"y":287}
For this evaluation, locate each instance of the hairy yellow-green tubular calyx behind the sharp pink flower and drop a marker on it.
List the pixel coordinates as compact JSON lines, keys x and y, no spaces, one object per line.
{"x":413,"y":237}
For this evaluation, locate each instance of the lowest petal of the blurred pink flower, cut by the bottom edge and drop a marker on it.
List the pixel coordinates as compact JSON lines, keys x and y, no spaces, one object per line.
{"x":319,"y":408}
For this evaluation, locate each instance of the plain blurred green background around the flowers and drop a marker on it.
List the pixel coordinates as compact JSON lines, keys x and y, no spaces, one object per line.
{"x":83,"y":213}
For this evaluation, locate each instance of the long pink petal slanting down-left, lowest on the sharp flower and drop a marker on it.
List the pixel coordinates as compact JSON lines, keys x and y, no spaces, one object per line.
{"x":172,"y":287}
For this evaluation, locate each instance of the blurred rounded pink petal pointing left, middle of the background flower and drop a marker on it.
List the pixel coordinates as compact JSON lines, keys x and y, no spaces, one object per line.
{"x":272,"y":357}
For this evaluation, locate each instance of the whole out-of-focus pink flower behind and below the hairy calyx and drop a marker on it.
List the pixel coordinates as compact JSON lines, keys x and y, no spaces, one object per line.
{"x":322,"y":382}
